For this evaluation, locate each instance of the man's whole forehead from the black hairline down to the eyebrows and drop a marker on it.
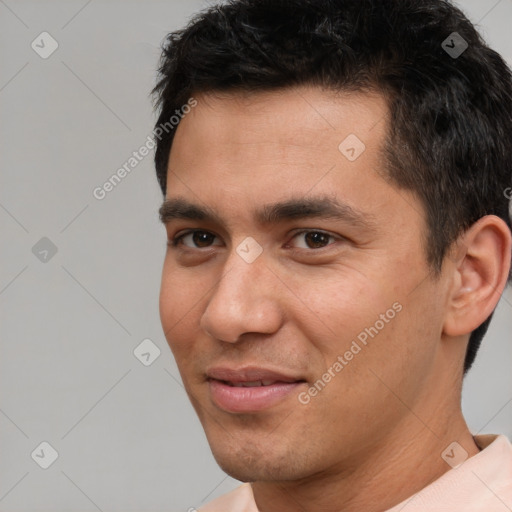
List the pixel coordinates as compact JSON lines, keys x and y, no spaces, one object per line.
{"x":236,"y":151}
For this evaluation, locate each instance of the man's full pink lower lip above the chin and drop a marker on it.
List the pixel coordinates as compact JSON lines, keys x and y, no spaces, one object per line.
{"x":249,"y":399}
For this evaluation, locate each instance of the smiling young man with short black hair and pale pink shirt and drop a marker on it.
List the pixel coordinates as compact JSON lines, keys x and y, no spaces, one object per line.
{"x":339,"y":237}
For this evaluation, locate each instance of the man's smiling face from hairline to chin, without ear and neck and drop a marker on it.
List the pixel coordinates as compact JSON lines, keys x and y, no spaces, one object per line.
{"x":284,"y":298}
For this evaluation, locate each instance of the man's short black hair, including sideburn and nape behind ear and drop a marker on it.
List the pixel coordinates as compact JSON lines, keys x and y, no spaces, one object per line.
{"x":449,"y":139}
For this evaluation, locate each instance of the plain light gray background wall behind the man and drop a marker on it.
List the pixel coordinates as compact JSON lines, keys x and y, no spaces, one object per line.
{"x":126,"y":435}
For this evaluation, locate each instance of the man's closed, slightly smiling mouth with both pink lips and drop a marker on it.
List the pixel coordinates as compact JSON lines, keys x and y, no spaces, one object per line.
{"x":250,"y":390}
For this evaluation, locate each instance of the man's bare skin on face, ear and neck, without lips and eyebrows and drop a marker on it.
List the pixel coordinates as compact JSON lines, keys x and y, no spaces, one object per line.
{"x":375,"y":433}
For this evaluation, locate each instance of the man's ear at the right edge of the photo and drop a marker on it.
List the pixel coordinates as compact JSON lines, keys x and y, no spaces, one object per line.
{"x":480,"y":272}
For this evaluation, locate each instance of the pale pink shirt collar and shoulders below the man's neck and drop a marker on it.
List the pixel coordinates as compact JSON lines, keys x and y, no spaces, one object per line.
{"x":483,"y":483}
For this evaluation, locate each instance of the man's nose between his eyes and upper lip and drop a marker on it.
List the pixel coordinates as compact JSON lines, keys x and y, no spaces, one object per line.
{"x":245,"y":300}
